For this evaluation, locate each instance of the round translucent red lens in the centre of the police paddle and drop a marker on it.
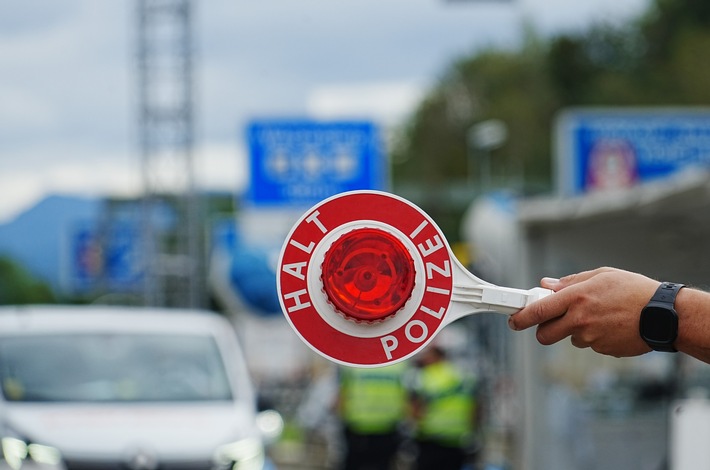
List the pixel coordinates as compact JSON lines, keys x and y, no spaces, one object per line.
{"x":368,"y":274}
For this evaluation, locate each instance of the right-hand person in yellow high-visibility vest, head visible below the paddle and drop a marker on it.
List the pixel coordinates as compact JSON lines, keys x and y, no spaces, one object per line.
{"x":444,"y":409}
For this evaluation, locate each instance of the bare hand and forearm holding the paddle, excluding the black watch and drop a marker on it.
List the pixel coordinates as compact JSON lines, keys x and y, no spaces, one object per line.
{"x":600,"y":309}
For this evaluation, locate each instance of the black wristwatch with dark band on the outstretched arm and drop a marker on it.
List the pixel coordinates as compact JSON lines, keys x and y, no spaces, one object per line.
{"x":658,"y":325}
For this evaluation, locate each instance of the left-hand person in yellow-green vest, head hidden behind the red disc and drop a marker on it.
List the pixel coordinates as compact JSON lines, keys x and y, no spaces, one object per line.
{"x":372,"y":406}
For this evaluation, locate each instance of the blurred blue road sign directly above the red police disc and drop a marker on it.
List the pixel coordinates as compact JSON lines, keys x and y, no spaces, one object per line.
{"x":300,"y":162}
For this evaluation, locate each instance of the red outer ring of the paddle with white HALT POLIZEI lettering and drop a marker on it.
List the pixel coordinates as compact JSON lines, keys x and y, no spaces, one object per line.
{"x":295,"y":293}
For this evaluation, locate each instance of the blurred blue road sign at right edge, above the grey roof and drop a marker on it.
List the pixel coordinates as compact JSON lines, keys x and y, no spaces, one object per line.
{"x":607,"y":148}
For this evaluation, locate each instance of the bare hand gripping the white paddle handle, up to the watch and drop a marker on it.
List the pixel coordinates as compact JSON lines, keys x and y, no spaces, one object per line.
{"x":598,"y":309}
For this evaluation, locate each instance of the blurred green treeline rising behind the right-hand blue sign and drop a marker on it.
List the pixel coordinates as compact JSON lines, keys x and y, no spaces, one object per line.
{"x":660,"y":58}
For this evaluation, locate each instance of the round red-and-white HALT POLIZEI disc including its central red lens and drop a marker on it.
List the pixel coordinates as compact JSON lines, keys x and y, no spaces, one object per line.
{"x":372,"y":315}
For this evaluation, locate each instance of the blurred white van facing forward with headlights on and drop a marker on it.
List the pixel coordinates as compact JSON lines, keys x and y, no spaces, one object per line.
{"x":89,"y":387}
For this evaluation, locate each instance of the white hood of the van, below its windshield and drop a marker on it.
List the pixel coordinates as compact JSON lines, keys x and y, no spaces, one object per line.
{"x":112,"y":431}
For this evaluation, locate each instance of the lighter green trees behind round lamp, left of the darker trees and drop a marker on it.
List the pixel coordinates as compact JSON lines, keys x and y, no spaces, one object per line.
{"x":433,"y":154}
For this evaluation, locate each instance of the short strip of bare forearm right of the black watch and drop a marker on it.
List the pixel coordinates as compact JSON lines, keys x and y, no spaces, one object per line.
{"x":693,"y":307}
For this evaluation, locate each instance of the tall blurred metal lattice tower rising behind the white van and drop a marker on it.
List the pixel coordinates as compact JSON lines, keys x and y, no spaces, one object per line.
{"x":170,"y":215}
